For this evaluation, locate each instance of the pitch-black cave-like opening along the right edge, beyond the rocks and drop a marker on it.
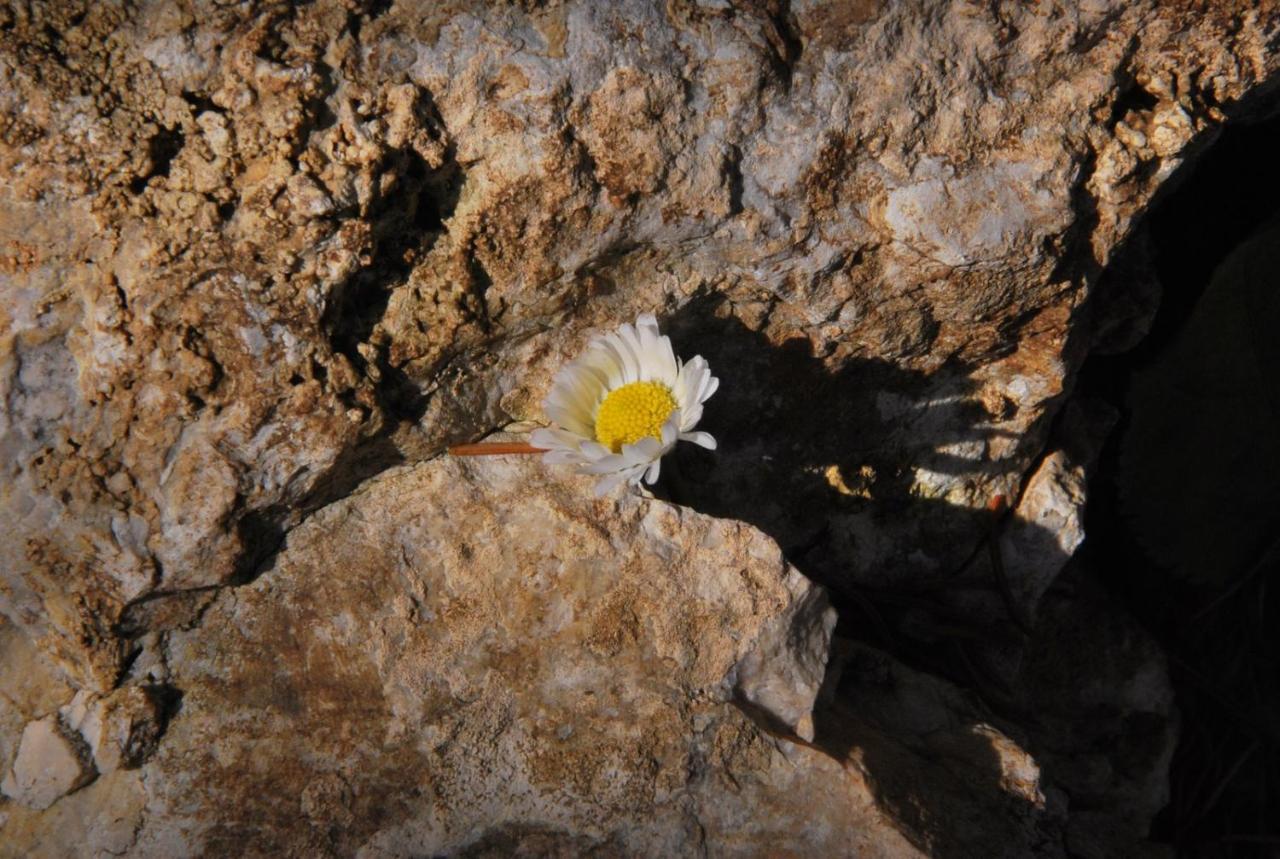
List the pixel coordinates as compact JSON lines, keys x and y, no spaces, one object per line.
{"x":1183,"y":523}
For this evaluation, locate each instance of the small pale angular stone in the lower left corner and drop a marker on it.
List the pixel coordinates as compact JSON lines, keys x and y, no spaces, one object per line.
{"x":51,"y":765}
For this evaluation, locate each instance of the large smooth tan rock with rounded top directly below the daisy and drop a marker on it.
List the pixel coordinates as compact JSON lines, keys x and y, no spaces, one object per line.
{"x":523,"y":657}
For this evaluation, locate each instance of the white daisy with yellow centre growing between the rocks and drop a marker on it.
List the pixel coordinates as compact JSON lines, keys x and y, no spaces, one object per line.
{"x":624,"y":404}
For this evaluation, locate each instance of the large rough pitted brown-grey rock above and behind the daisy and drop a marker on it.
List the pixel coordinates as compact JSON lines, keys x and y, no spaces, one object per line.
{"x":240,"y":281}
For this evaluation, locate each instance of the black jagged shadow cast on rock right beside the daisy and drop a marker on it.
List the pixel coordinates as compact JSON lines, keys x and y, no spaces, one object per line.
{"x":802,"y":447}
